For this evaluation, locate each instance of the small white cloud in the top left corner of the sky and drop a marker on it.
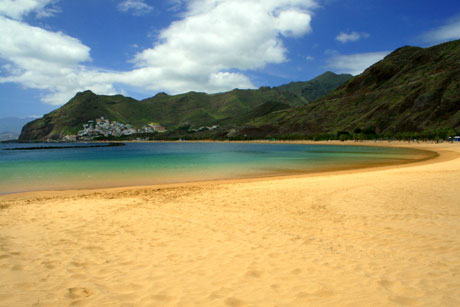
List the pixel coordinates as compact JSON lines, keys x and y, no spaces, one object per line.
{"x":17,"y":9}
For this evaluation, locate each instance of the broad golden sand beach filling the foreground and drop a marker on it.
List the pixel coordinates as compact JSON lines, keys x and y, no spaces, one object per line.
{"x":383,"y":236}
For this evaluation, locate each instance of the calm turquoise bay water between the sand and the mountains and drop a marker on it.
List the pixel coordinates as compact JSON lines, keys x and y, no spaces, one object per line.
{"x":158,"y":163}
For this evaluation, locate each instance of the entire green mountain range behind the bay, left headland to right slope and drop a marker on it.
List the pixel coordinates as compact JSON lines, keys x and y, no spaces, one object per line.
{"x":412,"y":92}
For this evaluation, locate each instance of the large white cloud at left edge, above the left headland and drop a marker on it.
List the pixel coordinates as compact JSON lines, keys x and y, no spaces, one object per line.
{"x":45,"y":60}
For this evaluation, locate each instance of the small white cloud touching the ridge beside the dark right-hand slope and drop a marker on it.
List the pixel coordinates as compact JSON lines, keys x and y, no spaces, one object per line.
{"x":355,"y":63}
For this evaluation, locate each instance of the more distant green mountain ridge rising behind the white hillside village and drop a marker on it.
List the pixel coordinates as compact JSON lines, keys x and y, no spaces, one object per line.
{"x":230,"y":109}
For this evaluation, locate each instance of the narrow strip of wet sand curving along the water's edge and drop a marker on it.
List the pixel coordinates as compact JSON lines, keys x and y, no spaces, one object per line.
{"x":422,"y":147}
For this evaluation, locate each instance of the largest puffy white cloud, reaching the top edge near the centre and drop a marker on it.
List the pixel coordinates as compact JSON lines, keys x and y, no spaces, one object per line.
{"x":245,"y":35}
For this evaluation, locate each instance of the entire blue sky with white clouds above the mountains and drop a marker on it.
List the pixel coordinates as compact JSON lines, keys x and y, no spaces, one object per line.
{"x":52,"y":49}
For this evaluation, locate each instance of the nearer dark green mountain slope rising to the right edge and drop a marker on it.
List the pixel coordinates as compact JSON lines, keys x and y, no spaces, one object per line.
{"x":412,"y":91}
